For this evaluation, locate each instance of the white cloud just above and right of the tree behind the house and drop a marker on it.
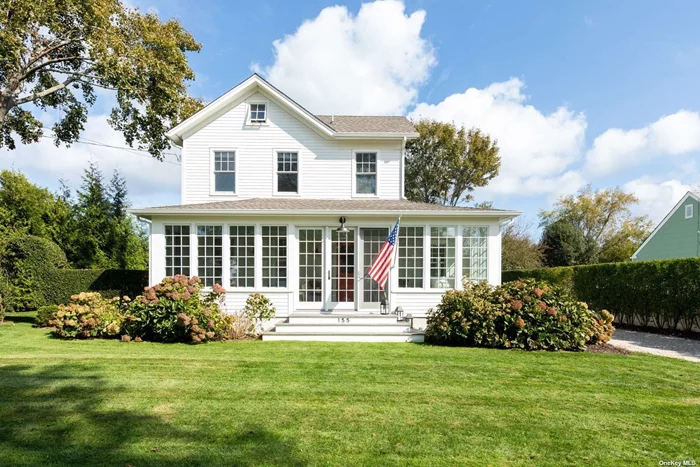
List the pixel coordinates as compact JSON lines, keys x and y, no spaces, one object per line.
{"x":536,"y":149}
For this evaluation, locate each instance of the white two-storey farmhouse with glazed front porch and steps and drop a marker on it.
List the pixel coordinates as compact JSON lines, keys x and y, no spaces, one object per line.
{"x":294,"y":205}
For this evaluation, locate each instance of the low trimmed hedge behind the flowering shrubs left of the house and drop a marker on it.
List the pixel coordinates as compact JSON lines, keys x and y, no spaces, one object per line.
{"x":60,"y":284}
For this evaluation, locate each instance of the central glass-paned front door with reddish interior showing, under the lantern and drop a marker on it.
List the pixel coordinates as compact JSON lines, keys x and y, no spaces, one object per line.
{"x":342,"y":271}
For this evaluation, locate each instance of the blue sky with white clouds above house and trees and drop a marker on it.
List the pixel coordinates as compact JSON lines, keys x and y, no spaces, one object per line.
{"x":576,"y":92}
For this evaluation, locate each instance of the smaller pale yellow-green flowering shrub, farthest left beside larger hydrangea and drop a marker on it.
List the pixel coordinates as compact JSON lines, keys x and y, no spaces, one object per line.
{"x":89,"y":315}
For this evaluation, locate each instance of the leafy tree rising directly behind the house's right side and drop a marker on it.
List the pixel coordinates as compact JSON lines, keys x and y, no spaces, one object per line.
{"x":445,"y":163}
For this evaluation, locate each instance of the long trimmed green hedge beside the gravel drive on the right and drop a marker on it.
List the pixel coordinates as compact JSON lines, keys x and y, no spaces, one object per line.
{"x":665,"y":294}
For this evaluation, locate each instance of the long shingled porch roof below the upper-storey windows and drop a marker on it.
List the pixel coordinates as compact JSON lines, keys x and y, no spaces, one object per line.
{"x":319,"y":205}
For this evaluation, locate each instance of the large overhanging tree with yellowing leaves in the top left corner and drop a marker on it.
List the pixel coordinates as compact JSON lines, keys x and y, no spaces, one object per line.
{"x":54,"y":53}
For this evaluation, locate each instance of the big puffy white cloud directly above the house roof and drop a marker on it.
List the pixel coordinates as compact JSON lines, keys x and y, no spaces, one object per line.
{"x":372,"y":63}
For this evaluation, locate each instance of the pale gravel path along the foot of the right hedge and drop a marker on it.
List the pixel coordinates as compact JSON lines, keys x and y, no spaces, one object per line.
{"x":657,"y":344}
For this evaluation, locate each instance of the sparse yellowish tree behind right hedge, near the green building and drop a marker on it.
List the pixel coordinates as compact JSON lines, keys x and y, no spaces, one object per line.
{"x":602,"y":220}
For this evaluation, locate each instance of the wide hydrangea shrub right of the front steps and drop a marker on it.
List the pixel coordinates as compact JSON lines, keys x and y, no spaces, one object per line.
{"x":526,"y":314}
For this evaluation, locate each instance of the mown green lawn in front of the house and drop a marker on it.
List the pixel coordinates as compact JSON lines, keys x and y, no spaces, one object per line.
{"x":284,"y":403}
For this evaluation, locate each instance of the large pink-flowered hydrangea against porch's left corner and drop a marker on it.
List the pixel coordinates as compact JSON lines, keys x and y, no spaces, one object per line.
{"x":178,"y":310}
